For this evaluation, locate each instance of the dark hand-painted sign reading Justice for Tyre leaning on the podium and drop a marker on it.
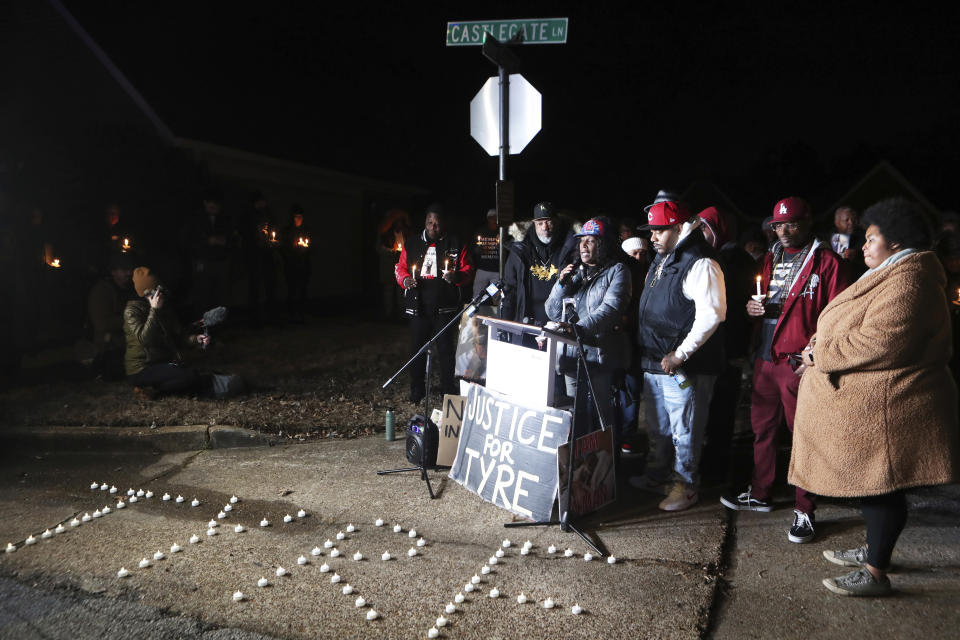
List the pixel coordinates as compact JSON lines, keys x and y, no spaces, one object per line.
{"x":508,"y":452}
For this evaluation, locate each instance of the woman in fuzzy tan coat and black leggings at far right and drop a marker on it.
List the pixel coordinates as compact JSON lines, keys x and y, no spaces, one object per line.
{"x":877,"y":406}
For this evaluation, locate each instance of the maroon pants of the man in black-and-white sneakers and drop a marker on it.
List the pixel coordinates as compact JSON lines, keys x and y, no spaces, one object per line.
{"x":774,"y":399}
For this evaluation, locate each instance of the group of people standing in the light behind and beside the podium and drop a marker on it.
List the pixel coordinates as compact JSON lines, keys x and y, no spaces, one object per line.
{"x":855,"y":367}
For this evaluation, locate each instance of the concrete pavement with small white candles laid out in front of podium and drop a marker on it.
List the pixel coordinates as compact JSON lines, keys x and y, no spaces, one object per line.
{"x":706,"y":572}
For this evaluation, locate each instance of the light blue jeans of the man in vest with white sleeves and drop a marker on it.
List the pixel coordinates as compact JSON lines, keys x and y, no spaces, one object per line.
{"x":676,"y":423}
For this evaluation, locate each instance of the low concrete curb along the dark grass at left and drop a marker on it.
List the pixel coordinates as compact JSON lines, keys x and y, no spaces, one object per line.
{"x":165,"y":439}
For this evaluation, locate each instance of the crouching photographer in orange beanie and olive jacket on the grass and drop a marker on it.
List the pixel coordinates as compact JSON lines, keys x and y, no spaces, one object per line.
{"x":154,"y":338}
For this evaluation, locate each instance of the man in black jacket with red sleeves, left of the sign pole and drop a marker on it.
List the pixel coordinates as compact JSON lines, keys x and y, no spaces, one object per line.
{"x":434,"y":268}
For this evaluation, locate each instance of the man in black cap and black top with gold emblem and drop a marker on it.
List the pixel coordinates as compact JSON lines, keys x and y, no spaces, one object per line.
{"x":533,"y":266}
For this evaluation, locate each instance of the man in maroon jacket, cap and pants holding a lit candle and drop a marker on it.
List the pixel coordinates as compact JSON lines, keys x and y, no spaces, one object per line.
{"x":800,"y":276}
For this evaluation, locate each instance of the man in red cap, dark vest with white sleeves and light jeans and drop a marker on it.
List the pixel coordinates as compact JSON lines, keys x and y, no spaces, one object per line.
{"x":681,"y":353}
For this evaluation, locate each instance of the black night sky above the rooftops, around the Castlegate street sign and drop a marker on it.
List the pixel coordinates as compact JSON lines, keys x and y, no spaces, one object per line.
{"x":763,"y":99}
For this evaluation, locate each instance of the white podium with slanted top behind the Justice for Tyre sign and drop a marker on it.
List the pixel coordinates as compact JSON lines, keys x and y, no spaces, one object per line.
{"x":524,"y":373}
